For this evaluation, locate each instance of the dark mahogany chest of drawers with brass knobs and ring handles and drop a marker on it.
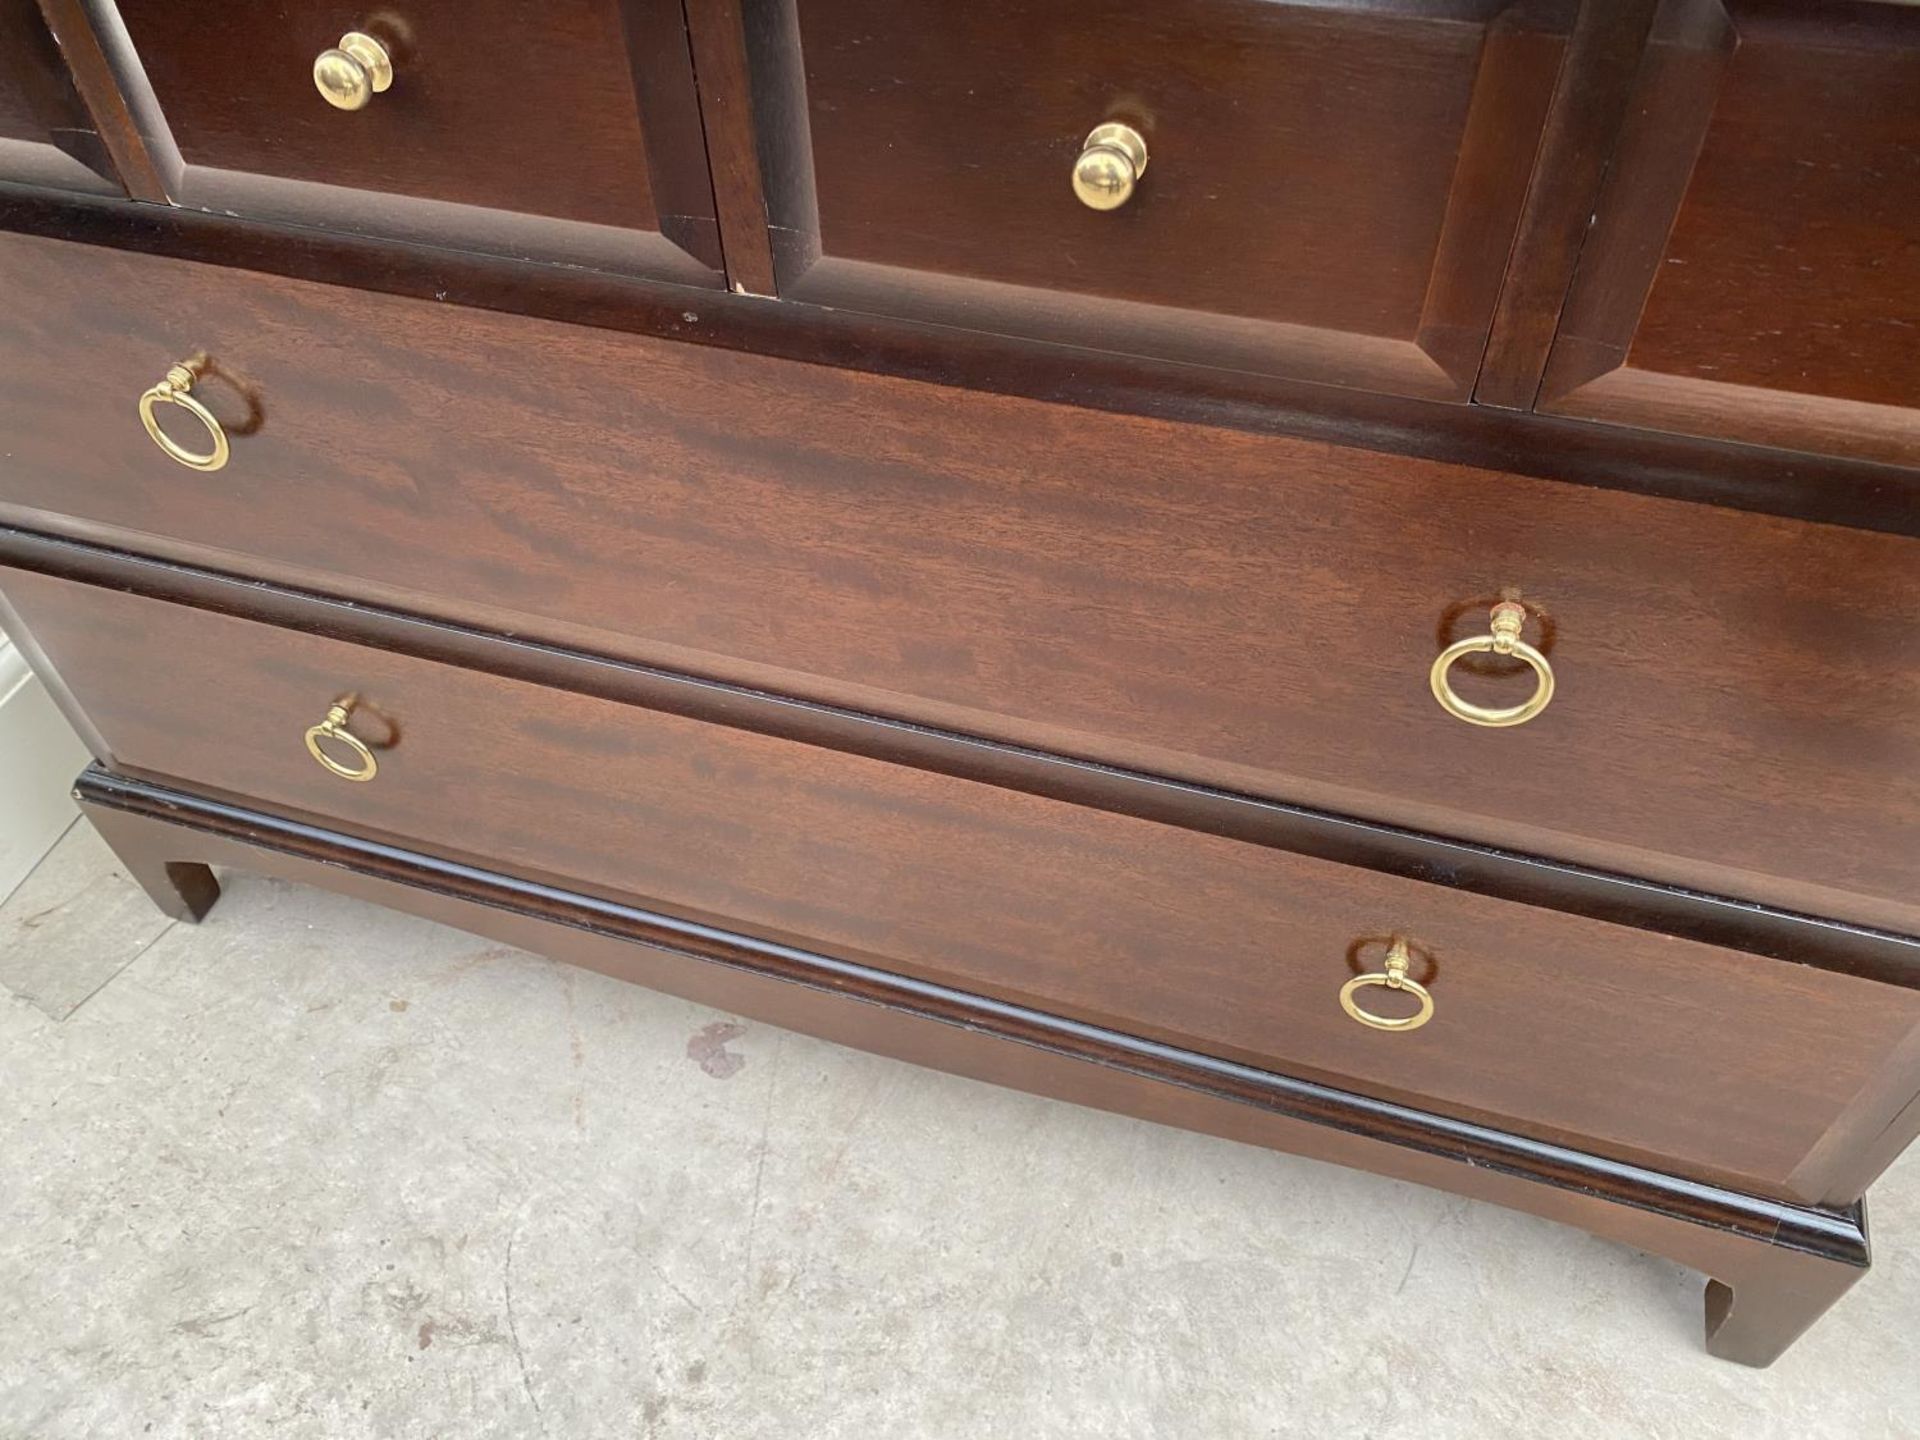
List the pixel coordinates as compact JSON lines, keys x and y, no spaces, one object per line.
{"x":1176,"y":573}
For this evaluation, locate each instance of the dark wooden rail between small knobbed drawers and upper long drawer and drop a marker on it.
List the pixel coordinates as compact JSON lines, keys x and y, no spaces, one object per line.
{"x":1829,"y":491}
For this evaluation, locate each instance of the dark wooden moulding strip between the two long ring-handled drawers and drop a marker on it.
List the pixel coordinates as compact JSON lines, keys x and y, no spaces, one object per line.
{"x":1435,"y":859}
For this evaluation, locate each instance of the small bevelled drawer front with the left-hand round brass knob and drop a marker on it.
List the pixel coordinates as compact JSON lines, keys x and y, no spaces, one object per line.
{"x":571,"y":132}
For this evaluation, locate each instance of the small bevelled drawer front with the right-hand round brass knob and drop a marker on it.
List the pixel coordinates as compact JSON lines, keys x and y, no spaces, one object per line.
{"x":1328,"y":191}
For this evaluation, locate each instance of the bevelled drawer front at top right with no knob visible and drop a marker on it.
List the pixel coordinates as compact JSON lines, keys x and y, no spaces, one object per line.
{"x":1754,"y":272}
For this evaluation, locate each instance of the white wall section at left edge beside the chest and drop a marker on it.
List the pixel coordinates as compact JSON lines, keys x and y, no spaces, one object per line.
{"x":39,"y":759}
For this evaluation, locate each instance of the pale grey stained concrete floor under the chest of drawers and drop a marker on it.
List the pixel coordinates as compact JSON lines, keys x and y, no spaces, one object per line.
{"x":318,"y":1170}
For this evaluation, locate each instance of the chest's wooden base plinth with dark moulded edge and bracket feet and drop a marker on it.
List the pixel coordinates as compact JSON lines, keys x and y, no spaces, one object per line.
{"x":1777,"y":1266}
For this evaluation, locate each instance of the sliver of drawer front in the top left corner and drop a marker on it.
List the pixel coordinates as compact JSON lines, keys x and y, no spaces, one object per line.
{"x":45,"y":132}
